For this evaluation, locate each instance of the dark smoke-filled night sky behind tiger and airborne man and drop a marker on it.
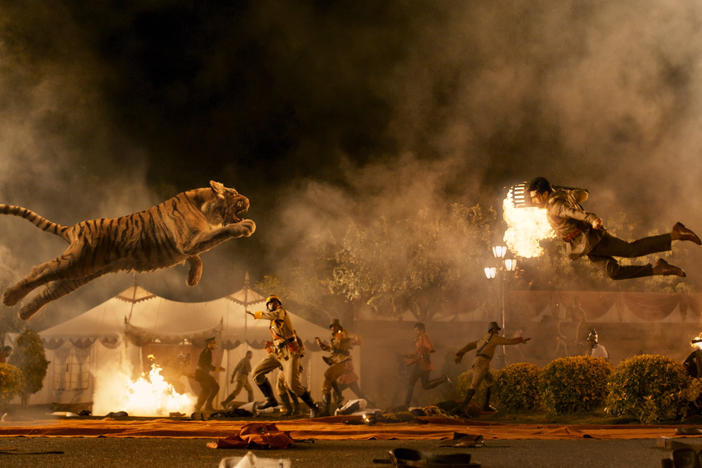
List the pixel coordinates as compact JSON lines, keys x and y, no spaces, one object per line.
{"x":383,"y":119}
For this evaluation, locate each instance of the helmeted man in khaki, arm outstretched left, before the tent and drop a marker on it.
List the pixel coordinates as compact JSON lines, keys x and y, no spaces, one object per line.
{"x":286,"y":353}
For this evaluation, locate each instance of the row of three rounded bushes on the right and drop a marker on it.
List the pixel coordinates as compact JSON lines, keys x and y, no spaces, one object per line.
{"x":649,"y":388}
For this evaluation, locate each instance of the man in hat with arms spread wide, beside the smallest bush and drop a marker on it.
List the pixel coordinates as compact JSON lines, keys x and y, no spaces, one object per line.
{"x":485,"y":350}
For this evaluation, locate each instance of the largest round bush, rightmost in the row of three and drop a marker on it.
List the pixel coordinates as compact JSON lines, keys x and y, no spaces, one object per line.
{"x":650,"y":388}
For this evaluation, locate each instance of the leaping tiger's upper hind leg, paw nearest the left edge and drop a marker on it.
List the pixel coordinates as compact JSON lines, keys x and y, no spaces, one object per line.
{"x":60,"y":267}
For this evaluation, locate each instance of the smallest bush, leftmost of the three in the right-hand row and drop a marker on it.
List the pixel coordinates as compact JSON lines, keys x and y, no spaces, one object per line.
{"x":517,"y":387}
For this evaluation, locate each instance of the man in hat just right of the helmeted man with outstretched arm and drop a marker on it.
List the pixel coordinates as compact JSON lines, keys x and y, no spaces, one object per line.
{"x":340,"y":346}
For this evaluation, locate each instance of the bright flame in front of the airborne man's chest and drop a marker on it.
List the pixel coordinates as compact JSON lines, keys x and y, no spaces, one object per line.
{"x":526,"y":226}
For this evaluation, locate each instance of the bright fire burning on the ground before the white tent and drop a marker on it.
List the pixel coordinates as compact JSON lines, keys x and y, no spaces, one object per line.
{"x":149,"y":395}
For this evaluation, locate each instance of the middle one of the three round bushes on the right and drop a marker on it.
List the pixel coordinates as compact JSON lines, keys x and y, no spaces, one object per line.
{"x":574,"y":384}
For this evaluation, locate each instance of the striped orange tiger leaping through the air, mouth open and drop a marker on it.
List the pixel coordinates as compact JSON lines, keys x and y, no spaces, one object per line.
{"x":177,"y":230}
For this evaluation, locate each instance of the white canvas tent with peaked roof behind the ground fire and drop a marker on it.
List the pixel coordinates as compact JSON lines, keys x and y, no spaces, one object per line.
{"x":135,"y":322}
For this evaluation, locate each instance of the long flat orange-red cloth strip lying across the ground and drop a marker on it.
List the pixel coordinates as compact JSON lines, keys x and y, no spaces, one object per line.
{"x":334,"y":428}
